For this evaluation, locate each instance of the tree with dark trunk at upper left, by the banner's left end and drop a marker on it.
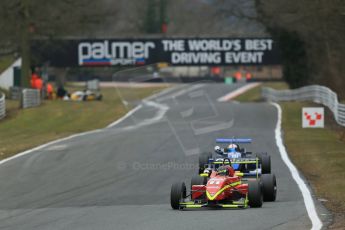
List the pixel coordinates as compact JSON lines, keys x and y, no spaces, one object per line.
{"x":23,"y":20}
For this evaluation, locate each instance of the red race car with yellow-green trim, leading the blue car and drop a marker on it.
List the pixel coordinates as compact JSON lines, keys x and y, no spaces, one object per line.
{"x":224,"y":189}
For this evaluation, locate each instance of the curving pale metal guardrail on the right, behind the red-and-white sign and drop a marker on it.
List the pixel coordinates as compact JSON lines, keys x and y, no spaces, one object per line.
{"x":316,"y":93}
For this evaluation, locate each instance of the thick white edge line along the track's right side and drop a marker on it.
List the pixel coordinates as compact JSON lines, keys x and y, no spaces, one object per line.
{"x":308,"y":200}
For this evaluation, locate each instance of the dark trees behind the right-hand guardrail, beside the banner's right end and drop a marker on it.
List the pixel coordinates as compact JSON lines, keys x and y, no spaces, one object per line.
{"x":320,"y":27}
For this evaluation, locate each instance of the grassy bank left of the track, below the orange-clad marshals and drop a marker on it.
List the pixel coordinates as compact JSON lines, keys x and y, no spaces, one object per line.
{"x":24,"y":129}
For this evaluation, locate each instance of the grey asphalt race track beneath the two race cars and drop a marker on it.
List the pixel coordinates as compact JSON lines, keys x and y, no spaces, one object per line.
{"x":120,"y":177}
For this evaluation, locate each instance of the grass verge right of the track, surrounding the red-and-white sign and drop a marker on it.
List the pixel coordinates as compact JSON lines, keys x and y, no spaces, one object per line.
{"x":318,"y":153}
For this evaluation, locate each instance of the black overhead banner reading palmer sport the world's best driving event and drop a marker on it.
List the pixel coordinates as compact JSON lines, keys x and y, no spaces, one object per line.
{"x":178,"y":52}
